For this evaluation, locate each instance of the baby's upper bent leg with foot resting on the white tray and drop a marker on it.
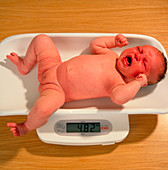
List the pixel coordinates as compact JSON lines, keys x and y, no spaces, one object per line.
{"x":41,"y":47}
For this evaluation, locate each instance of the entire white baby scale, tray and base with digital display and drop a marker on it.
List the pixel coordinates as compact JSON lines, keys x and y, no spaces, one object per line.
{"x":85,"y":122}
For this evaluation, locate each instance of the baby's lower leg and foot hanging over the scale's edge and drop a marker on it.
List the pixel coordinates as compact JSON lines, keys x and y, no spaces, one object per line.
{"x":48,"y":102}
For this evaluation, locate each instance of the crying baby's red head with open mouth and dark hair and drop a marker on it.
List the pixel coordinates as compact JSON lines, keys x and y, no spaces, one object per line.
{"x":142,"y":59}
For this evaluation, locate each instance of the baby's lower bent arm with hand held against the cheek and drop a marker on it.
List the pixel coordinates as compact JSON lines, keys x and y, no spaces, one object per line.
{"x":125,"y":92}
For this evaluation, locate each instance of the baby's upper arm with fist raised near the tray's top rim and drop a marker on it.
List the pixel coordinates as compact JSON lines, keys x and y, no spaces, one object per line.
{"x":102,"y":45}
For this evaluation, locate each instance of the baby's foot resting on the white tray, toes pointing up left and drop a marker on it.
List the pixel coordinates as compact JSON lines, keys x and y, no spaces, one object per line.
{"x":18,"y":62}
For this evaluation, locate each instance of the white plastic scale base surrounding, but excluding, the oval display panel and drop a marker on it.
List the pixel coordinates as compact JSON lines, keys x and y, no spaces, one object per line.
{"x":119,"y":122}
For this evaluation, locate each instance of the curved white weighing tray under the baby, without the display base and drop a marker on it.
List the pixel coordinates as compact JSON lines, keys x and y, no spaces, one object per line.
{"x":18,"y":92}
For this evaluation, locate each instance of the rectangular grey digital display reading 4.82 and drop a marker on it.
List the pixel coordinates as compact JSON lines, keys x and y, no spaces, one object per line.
{"x":89,"y":127}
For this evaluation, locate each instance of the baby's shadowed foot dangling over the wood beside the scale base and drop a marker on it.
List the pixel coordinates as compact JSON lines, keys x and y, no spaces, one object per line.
{"x":18,"y":129}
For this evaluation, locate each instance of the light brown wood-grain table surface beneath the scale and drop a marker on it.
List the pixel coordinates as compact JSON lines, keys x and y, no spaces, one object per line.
{"x":146,"y":146}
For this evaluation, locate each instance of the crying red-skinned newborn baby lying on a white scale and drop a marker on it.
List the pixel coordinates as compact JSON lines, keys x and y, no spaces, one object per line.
{"x":103,"y":74}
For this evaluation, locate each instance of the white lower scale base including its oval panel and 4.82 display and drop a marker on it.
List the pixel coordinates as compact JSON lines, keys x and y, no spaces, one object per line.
{"x":85,"y":128}
